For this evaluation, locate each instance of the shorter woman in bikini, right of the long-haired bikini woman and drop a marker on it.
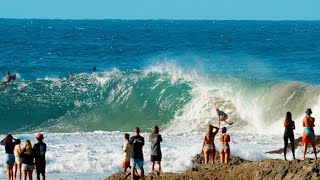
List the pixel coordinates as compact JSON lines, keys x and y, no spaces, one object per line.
{"x":224,"y":139}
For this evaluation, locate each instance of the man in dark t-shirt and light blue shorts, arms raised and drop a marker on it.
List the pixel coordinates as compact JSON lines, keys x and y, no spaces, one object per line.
{"x":136,"y":143}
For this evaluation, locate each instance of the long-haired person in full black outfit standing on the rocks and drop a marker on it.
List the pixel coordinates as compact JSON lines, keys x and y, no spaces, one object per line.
{"x":288,"y":134}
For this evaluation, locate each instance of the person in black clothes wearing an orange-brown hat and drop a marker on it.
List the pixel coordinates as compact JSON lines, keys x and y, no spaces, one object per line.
{"x":39,"y":150}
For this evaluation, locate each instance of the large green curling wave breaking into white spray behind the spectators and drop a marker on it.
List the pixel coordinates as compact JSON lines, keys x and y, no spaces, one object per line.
{"x":165,"y":95}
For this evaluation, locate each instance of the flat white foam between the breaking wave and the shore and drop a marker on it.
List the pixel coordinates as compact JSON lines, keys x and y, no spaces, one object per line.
{"x":98,"y":154}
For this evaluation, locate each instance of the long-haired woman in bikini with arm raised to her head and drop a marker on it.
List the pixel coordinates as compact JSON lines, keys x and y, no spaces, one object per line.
{"x":208,"y":147}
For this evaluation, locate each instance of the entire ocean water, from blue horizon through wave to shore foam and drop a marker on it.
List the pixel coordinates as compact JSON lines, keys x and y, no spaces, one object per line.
{"x":154,"y":72}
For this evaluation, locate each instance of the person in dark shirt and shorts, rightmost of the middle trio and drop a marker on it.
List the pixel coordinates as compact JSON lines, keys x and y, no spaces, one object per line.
{"x":156,"y":155}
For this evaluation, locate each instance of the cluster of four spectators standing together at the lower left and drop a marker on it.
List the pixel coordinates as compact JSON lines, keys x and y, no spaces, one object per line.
{"x":20,"y":162}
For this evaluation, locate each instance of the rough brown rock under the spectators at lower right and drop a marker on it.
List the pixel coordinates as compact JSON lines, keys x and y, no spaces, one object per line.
{"x":241,"y":169}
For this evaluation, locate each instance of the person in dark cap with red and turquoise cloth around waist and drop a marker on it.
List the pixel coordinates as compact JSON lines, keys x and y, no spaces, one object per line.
{"x":308,"y":136}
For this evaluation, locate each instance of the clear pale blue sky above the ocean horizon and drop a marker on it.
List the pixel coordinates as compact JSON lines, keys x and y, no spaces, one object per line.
{"x":162,"y":9}
